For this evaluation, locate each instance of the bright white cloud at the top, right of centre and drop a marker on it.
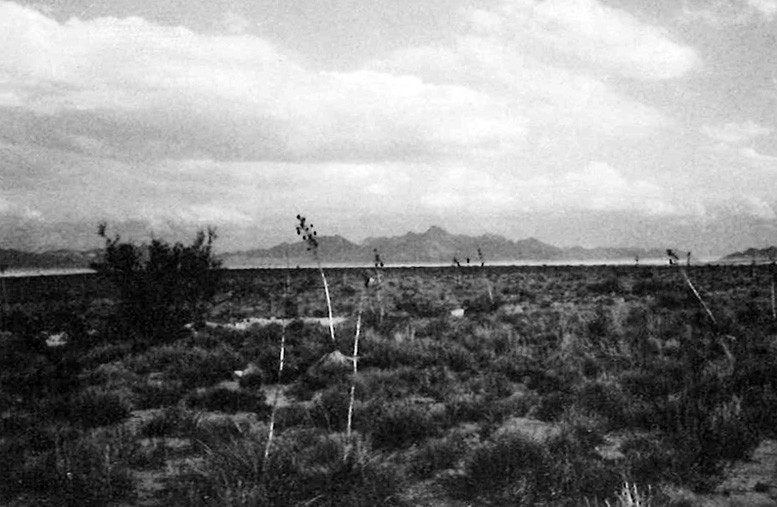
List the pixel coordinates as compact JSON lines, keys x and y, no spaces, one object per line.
{"x":518,"y":53}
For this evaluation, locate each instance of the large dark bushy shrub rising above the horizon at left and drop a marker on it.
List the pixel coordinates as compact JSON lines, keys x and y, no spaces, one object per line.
{"x":160,"y":286}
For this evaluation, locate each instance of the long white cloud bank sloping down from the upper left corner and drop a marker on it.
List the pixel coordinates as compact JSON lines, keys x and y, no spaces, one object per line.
{"x":166,"y":91}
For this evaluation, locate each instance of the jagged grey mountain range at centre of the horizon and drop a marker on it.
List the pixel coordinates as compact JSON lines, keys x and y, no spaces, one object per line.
{"x":433,"y":246}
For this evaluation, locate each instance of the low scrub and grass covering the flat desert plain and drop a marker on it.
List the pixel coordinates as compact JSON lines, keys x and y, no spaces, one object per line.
{"x":557,"y":386}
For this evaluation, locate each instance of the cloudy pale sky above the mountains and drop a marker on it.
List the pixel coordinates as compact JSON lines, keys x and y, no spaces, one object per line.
{"x":578,"y":122}
